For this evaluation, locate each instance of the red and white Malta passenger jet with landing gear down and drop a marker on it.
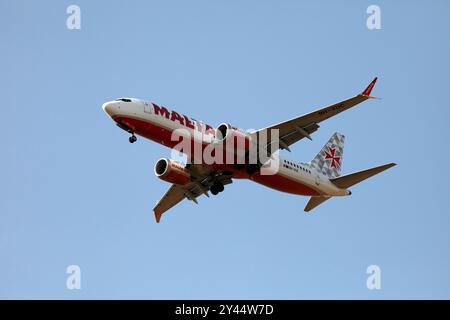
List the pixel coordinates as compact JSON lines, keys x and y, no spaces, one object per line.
{"x":319,"y":179}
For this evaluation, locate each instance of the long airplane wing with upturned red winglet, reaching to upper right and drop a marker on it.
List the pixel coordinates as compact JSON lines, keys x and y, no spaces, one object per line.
{"x":301,"y":127}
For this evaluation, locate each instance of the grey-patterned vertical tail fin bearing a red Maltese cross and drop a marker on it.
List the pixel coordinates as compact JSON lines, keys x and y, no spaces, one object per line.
{"x":329,"y":160}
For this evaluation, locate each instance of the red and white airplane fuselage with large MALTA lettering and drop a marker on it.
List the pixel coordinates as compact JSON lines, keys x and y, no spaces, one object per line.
{"x":158,"y":124}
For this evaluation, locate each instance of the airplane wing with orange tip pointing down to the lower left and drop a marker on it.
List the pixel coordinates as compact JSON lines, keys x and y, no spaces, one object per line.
{"x":201,"y":185}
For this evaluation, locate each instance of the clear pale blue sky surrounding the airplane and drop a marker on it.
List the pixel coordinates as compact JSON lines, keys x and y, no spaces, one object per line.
{"x":74,"y":191}
